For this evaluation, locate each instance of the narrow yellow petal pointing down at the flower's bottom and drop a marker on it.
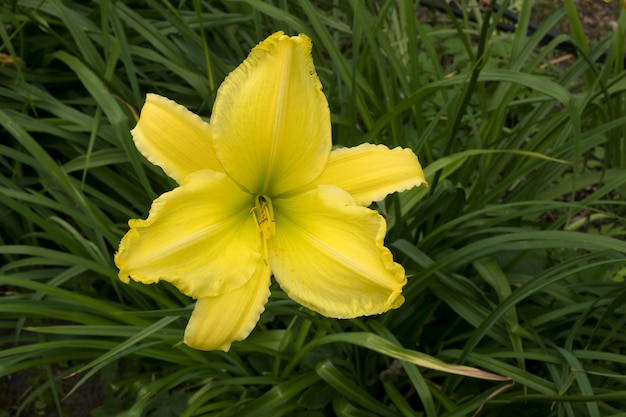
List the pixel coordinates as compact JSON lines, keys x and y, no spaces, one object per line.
{"x":216,"y":322}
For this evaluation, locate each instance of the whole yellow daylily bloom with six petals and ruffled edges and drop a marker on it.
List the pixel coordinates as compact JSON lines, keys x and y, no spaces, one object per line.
{"x":261,"y":192}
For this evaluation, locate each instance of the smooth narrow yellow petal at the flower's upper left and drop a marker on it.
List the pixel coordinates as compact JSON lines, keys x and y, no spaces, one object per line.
{"x":174,"y":138}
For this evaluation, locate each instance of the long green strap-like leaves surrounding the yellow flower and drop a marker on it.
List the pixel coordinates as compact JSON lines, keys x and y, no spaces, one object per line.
{"x":516,"y":252}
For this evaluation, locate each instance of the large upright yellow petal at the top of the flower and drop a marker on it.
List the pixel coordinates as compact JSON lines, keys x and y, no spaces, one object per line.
{"x":271,"y":122}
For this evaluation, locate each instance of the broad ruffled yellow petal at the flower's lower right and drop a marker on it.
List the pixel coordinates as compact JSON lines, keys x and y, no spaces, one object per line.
{"x":328,"y":255}
